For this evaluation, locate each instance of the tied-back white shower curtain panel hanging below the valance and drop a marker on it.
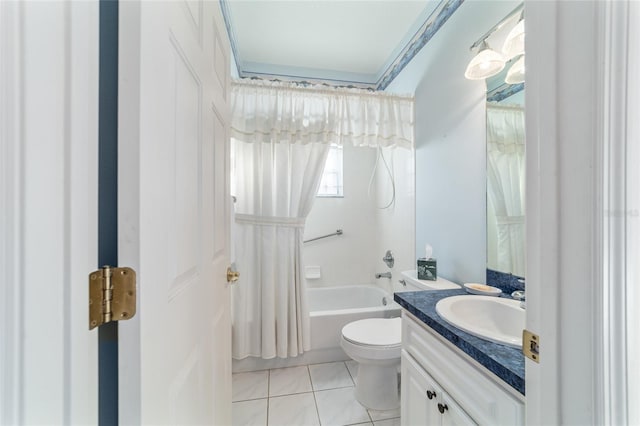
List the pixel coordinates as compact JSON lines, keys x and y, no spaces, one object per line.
{"x":275,"y":191}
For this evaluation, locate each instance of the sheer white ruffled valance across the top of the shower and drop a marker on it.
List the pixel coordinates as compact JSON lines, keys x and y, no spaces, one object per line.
{"x":265,"y":111}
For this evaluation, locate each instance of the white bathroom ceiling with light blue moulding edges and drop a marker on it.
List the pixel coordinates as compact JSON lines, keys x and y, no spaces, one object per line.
{"x":355,"y":42}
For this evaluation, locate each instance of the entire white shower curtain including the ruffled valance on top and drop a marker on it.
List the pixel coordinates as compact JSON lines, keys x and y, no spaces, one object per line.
{"x":281,"y":134}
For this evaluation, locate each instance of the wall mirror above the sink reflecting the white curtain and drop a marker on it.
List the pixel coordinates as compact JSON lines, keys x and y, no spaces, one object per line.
{"x":505,"y":176}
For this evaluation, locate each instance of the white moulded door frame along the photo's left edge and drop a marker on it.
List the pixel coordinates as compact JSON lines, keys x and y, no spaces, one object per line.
{"x":48,"y":211}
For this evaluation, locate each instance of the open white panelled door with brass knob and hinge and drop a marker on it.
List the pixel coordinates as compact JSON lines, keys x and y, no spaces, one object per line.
{"x":174,"y":356}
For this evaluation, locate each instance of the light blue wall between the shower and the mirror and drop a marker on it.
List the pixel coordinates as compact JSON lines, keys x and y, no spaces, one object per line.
{"x":450,"y":143}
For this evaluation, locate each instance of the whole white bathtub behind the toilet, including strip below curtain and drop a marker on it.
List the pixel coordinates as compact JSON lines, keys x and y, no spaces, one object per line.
{"x":331,"y":308}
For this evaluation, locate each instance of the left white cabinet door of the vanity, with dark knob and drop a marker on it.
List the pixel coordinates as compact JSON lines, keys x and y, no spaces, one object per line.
{"x":420,"y":395}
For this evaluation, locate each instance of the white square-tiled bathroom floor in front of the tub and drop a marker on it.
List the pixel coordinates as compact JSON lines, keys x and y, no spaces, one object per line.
{"x":314,"y":395}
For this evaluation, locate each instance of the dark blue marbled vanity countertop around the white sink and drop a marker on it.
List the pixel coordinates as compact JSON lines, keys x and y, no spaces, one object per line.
{"x":505,"y":362}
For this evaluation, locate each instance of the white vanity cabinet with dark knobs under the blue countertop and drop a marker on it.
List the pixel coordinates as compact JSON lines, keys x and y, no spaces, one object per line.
{"x":443,"y":386}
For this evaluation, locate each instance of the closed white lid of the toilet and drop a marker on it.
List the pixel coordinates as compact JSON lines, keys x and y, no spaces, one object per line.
{"x":374,"y":331}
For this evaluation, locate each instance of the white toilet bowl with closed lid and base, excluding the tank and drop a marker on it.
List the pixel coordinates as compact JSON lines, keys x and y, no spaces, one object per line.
{"x":375,"y":344}
